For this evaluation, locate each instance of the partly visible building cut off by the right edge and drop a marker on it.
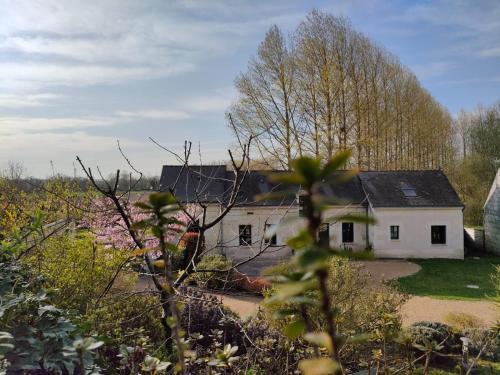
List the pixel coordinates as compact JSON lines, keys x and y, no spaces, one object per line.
{"x":492,"y":217}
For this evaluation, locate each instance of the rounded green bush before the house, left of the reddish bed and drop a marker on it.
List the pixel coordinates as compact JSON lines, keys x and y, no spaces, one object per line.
{"x":213,"y":280}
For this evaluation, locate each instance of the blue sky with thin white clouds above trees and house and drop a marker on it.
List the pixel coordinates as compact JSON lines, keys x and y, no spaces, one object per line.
{"x":78,"y":76}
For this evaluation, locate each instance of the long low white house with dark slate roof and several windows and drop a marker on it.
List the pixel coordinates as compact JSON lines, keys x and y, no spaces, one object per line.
{"x":418,"y":213}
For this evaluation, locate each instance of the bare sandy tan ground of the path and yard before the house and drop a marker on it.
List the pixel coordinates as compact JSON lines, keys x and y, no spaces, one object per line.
{"x":416,"y":309}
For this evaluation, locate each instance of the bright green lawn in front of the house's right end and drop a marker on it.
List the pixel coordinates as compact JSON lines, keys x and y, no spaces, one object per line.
{"x":448,"y":279}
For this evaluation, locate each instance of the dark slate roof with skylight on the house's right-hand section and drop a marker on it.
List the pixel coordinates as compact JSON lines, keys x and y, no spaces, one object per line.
{"x":384,"y":189}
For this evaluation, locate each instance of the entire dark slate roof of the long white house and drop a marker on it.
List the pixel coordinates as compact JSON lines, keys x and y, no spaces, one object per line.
{"x":212,"y":184}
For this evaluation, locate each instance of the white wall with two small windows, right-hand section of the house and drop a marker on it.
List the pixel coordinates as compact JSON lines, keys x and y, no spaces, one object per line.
{"x":415,"y":233}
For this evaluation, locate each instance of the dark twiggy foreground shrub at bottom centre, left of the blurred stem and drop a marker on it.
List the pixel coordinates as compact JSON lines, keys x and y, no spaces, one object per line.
{"x":260,"y":347}
